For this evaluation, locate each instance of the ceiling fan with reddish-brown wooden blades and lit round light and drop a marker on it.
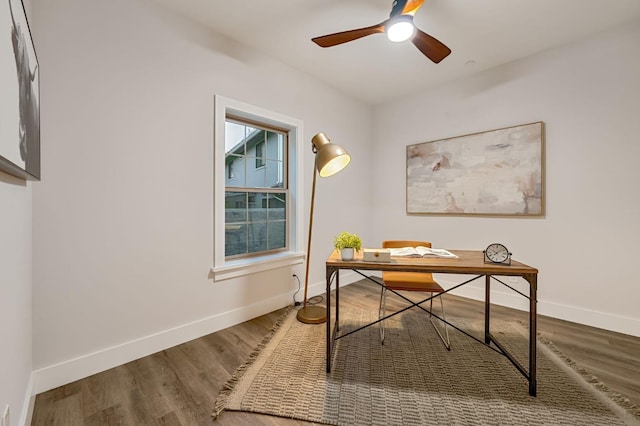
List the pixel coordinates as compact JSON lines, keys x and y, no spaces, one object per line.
{"x":399,"y":27}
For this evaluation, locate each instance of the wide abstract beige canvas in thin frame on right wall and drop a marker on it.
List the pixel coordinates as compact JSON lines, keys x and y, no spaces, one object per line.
{"x":497,"y":172}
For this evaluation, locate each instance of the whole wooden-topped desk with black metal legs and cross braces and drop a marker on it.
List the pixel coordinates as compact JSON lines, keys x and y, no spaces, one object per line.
{"x":468,"y":262}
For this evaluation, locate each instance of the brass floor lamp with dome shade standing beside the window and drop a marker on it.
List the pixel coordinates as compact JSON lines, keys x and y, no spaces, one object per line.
{"x":329,"y":160}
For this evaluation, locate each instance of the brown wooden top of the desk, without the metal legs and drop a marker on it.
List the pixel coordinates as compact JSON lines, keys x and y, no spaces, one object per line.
{"x":468,"y":262}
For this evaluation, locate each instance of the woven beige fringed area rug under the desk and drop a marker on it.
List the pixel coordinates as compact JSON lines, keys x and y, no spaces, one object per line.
{"x":413,"y":380}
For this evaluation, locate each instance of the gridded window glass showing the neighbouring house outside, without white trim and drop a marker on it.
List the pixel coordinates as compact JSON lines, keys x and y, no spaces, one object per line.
{"x":256,"y":190}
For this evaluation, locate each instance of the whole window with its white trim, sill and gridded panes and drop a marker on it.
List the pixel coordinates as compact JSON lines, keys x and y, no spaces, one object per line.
{"x":257,"y":176}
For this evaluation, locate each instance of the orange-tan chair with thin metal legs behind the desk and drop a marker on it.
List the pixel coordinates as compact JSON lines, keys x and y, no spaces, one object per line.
{"x":411,"y":281}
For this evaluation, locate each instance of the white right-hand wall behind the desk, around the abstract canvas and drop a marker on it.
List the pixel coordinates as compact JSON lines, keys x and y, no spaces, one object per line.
{"x":586,"y":246}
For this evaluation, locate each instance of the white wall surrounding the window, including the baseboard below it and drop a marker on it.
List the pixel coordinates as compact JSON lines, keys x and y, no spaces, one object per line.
{"x":123,"y":217}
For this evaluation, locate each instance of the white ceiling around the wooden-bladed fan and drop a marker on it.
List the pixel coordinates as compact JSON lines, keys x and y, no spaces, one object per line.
{"x":481,"y":33}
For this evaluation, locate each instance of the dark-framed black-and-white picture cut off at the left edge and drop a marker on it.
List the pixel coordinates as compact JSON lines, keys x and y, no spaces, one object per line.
{"x":19,"y":94}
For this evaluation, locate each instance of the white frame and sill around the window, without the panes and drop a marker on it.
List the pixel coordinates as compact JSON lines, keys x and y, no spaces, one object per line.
{"x":222,"y":268}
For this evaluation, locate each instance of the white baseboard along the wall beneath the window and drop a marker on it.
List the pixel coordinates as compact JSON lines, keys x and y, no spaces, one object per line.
{"x":53,"y":376}
